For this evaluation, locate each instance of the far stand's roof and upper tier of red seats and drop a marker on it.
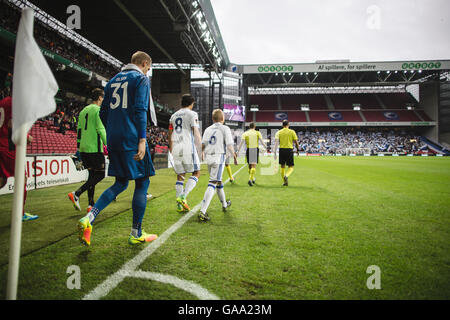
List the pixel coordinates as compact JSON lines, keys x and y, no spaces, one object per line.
{"x":411,"y":95}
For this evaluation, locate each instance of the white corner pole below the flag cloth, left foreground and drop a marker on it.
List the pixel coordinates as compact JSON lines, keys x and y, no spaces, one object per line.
{"x":16,"y":216}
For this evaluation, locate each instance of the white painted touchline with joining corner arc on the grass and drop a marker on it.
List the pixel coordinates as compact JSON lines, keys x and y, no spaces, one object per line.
{"x":129,"y":268}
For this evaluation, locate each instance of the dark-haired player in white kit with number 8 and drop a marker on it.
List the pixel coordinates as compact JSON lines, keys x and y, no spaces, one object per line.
{"x":184,"y":141}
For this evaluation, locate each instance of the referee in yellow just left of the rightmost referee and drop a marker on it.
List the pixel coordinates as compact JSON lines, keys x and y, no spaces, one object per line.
{"x":252,"y":138}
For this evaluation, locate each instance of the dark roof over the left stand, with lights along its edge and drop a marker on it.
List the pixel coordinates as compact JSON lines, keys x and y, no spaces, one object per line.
{"x":177,"y":32}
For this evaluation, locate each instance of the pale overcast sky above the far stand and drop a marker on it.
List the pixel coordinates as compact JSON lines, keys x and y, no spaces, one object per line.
{"x":305,"y":31}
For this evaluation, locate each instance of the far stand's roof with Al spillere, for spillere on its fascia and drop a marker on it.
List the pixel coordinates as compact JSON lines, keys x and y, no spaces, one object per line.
{"x":335,"y":73}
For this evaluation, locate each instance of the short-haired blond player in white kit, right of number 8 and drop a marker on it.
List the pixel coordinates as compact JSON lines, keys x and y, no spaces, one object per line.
{"x":216,"y":144}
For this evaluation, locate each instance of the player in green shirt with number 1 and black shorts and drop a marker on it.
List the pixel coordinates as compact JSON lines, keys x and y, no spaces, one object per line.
{"x":90,"y":141}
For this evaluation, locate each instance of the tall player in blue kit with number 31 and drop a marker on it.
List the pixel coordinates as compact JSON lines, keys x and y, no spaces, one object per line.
{"x":124,"y":115}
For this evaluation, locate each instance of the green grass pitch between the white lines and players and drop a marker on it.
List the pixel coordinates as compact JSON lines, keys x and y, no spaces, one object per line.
{"x":314,"y":239}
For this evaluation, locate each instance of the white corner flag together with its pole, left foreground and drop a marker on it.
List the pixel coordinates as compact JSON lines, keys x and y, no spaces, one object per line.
{"x":34,"y":88}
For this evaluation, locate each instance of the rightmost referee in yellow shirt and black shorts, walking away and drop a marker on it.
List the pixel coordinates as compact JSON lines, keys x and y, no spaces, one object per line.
{"x":285,"y":139}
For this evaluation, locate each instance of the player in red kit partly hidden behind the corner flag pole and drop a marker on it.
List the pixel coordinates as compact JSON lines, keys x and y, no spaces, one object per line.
{"x":8,"y":151}
